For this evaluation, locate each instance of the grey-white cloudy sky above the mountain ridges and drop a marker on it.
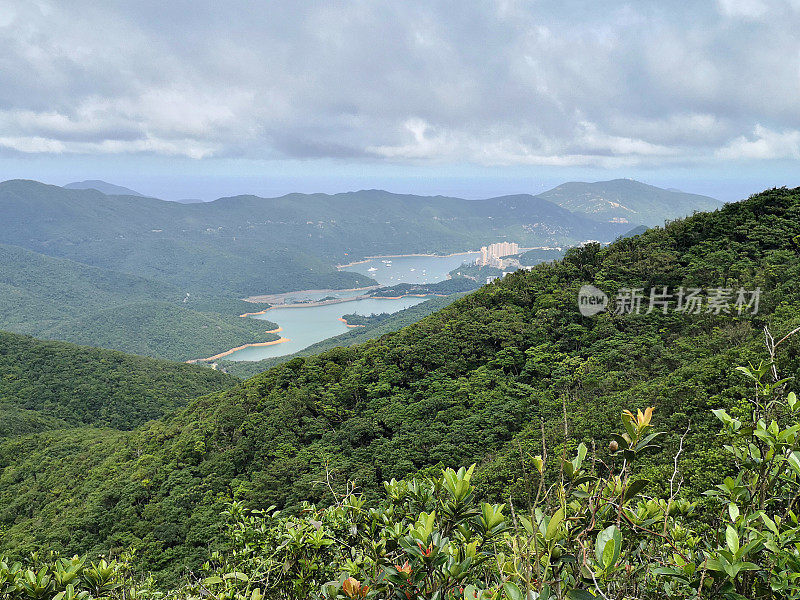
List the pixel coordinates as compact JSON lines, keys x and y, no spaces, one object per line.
{"x":203,"y":99}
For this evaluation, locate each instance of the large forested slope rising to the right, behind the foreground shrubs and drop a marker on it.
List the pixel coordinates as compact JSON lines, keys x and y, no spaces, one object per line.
{"x":478,"y":381}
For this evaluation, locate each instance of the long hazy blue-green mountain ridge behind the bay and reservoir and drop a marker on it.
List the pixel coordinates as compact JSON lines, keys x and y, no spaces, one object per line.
{"x":248,"y":245}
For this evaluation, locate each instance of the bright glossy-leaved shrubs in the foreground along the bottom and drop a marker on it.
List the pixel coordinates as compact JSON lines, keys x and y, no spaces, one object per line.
{"x":592,"y":533}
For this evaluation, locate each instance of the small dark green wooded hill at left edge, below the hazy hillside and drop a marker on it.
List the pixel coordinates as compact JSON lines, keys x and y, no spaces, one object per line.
{"x":76,"y":385}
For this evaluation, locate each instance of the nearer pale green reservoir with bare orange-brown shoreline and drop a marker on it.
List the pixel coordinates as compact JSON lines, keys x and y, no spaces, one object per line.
{"x":308,"y":325}
